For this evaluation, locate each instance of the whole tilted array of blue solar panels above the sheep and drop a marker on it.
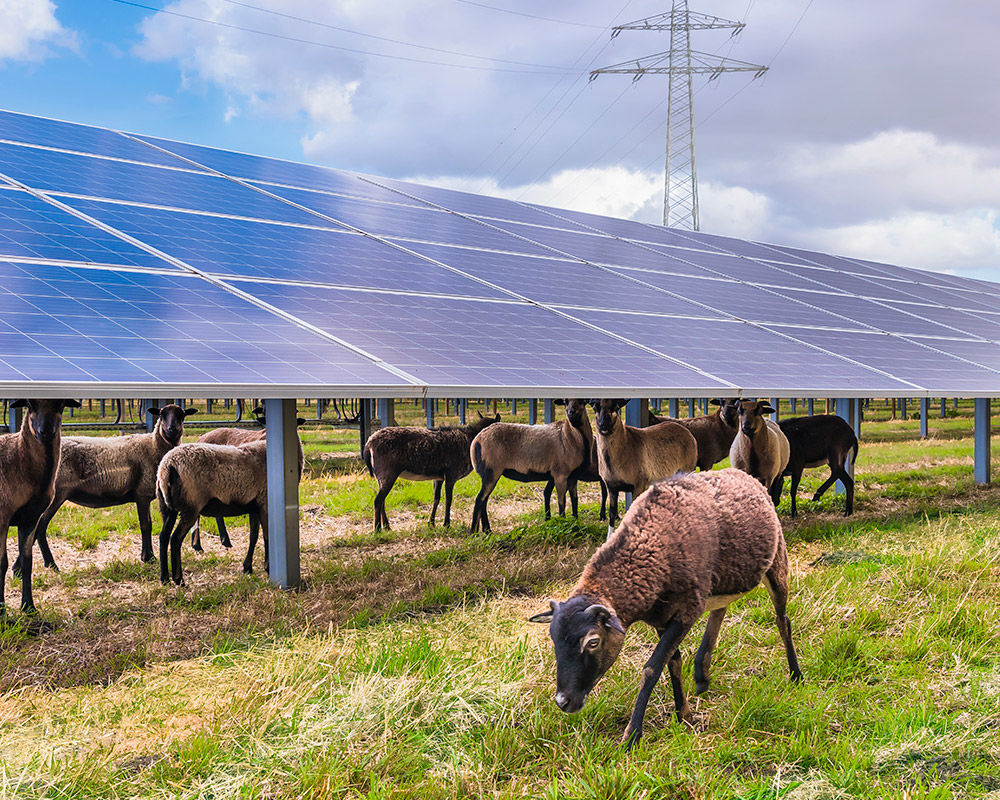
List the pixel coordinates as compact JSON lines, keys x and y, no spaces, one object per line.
{"x":131,"y":264}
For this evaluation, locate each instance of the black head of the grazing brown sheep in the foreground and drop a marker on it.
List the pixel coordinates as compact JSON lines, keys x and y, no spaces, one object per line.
{"x":588,"y":638}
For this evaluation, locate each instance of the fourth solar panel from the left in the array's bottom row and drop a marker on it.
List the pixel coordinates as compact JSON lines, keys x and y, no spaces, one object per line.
{"x":905,"y":359}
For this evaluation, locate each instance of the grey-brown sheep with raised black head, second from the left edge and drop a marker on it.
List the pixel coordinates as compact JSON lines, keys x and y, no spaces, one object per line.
{"x":101,"y":472}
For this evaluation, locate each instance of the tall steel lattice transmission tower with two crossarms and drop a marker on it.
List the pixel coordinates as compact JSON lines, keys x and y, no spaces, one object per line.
{"x":681,"y":63}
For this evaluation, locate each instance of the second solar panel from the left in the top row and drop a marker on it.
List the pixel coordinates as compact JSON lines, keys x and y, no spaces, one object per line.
{"x":275,"y":170}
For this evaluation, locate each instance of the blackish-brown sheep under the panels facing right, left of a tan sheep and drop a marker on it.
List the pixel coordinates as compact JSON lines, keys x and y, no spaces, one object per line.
{"x":421,"y":454}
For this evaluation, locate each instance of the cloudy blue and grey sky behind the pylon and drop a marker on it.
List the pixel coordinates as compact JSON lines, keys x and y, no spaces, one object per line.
{"x":875,"y":132}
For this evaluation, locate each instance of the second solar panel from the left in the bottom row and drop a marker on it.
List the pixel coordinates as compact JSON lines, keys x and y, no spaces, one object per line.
{"x":454,"y":342}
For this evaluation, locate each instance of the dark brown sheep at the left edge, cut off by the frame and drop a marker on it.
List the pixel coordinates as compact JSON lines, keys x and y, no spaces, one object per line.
{"x":29,"y":464}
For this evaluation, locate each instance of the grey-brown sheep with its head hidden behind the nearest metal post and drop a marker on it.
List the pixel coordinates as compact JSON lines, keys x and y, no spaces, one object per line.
{"x":215,"y":480}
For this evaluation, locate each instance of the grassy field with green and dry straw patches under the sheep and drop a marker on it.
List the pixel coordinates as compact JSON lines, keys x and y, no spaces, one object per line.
{"x":404,"y":667}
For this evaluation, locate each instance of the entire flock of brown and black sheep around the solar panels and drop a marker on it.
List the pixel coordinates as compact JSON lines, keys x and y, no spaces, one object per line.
{"x":690,"y":543}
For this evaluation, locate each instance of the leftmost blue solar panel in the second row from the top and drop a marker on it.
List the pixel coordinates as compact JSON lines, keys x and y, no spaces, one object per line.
{"x":67,"y":173}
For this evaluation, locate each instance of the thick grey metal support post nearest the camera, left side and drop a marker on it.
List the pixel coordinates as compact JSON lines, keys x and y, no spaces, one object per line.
{"x":283,"y":491}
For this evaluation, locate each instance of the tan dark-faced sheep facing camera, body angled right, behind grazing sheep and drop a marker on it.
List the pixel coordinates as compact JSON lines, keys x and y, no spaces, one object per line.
{"x":630,"y":459}
